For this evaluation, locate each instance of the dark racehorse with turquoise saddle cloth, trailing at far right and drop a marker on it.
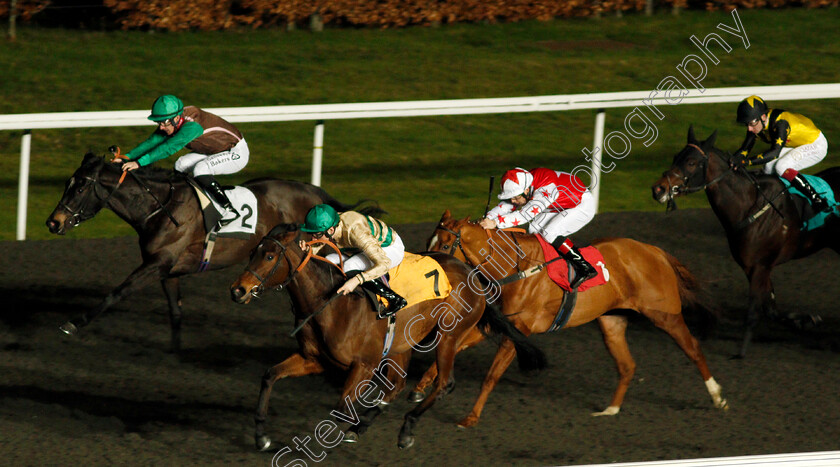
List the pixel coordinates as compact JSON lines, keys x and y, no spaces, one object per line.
{"x":762,"y":223}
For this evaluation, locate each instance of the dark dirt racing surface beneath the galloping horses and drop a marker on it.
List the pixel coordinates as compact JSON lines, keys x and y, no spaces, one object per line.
{"x":113,"y":395}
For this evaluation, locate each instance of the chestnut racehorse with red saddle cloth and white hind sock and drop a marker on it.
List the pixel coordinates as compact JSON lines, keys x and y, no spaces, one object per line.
{"x":642,"y":278}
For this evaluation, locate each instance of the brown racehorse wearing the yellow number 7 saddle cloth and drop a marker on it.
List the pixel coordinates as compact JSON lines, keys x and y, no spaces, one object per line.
{"x":343,"y":331}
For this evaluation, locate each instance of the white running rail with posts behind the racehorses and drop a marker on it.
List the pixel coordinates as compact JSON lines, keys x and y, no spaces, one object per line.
{"x":320,"y":113}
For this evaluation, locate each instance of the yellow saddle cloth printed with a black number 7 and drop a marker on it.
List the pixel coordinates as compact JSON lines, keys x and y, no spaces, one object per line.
{"x":419,"y":278}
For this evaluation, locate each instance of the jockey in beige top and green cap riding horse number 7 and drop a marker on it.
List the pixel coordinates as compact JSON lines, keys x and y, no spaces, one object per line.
{"x":381,"y":249}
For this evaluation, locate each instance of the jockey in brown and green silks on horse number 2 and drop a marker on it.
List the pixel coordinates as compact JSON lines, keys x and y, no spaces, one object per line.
{"x":217,"y":147}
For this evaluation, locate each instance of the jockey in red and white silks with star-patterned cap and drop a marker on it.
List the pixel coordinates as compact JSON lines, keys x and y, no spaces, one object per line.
{"x":555,"y":204}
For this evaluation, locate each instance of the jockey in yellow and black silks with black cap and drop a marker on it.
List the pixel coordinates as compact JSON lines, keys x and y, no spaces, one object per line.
{"x":795,"y":143}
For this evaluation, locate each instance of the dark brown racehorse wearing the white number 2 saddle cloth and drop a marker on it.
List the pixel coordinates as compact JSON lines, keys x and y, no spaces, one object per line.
{"x":162,"y":207}
